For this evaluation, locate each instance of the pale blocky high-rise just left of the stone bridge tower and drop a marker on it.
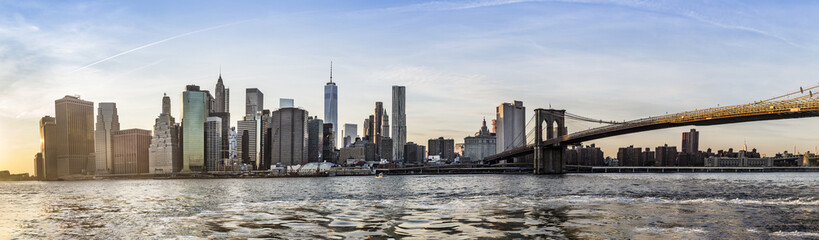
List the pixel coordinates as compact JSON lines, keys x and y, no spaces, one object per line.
{"x":511,"y":126}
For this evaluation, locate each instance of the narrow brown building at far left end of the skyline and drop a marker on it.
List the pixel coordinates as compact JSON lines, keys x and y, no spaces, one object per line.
{"x":48,"y":147}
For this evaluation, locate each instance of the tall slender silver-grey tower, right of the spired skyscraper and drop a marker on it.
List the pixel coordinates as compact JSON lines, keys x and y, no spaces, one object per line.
{"x":399,"y":122}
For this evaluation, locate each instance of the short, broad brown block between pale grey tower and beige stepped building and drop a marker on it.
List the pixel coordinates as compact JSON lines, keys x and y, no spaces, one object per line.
{"x":130,"y":151}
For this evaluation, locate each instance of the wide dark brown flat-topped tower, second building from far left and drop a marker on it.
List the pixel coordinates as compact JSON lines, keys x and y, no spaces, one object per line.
{"x":75,"y":136}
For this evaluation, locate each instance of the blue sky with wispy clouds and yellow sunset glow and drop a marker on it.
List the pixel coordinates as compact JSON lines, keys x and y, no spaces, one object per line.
{"x":612,"y":60}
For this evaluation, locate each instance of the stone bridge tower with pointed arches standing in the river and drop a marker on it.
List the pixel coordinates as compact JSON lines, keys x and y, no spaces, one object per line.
{"x":549,"y":158}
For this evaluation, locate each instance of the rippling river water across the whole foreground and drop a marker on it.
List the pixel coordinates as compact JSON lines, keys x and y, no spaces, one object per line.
{"x":572,"y":206}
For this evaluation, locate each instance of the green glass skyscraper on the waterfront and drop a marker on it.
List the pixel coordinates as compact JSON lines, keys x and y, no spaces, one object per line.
{"x":195,"y":109}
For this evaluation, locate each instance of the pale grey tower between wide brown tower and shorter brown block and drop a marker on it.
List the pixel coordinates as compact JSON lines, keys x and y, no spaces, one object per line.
{"x":107,"y":122}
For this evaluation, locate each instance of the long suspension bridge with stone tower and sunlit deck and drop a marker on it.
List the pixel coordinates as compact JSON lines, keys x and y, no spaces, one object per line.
{"x":547,"y":137}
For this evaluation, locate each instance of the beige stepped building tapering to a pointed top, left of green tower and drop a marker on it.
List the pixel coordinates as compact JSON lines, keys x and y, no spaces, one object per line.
{"x":164,"y":152}
